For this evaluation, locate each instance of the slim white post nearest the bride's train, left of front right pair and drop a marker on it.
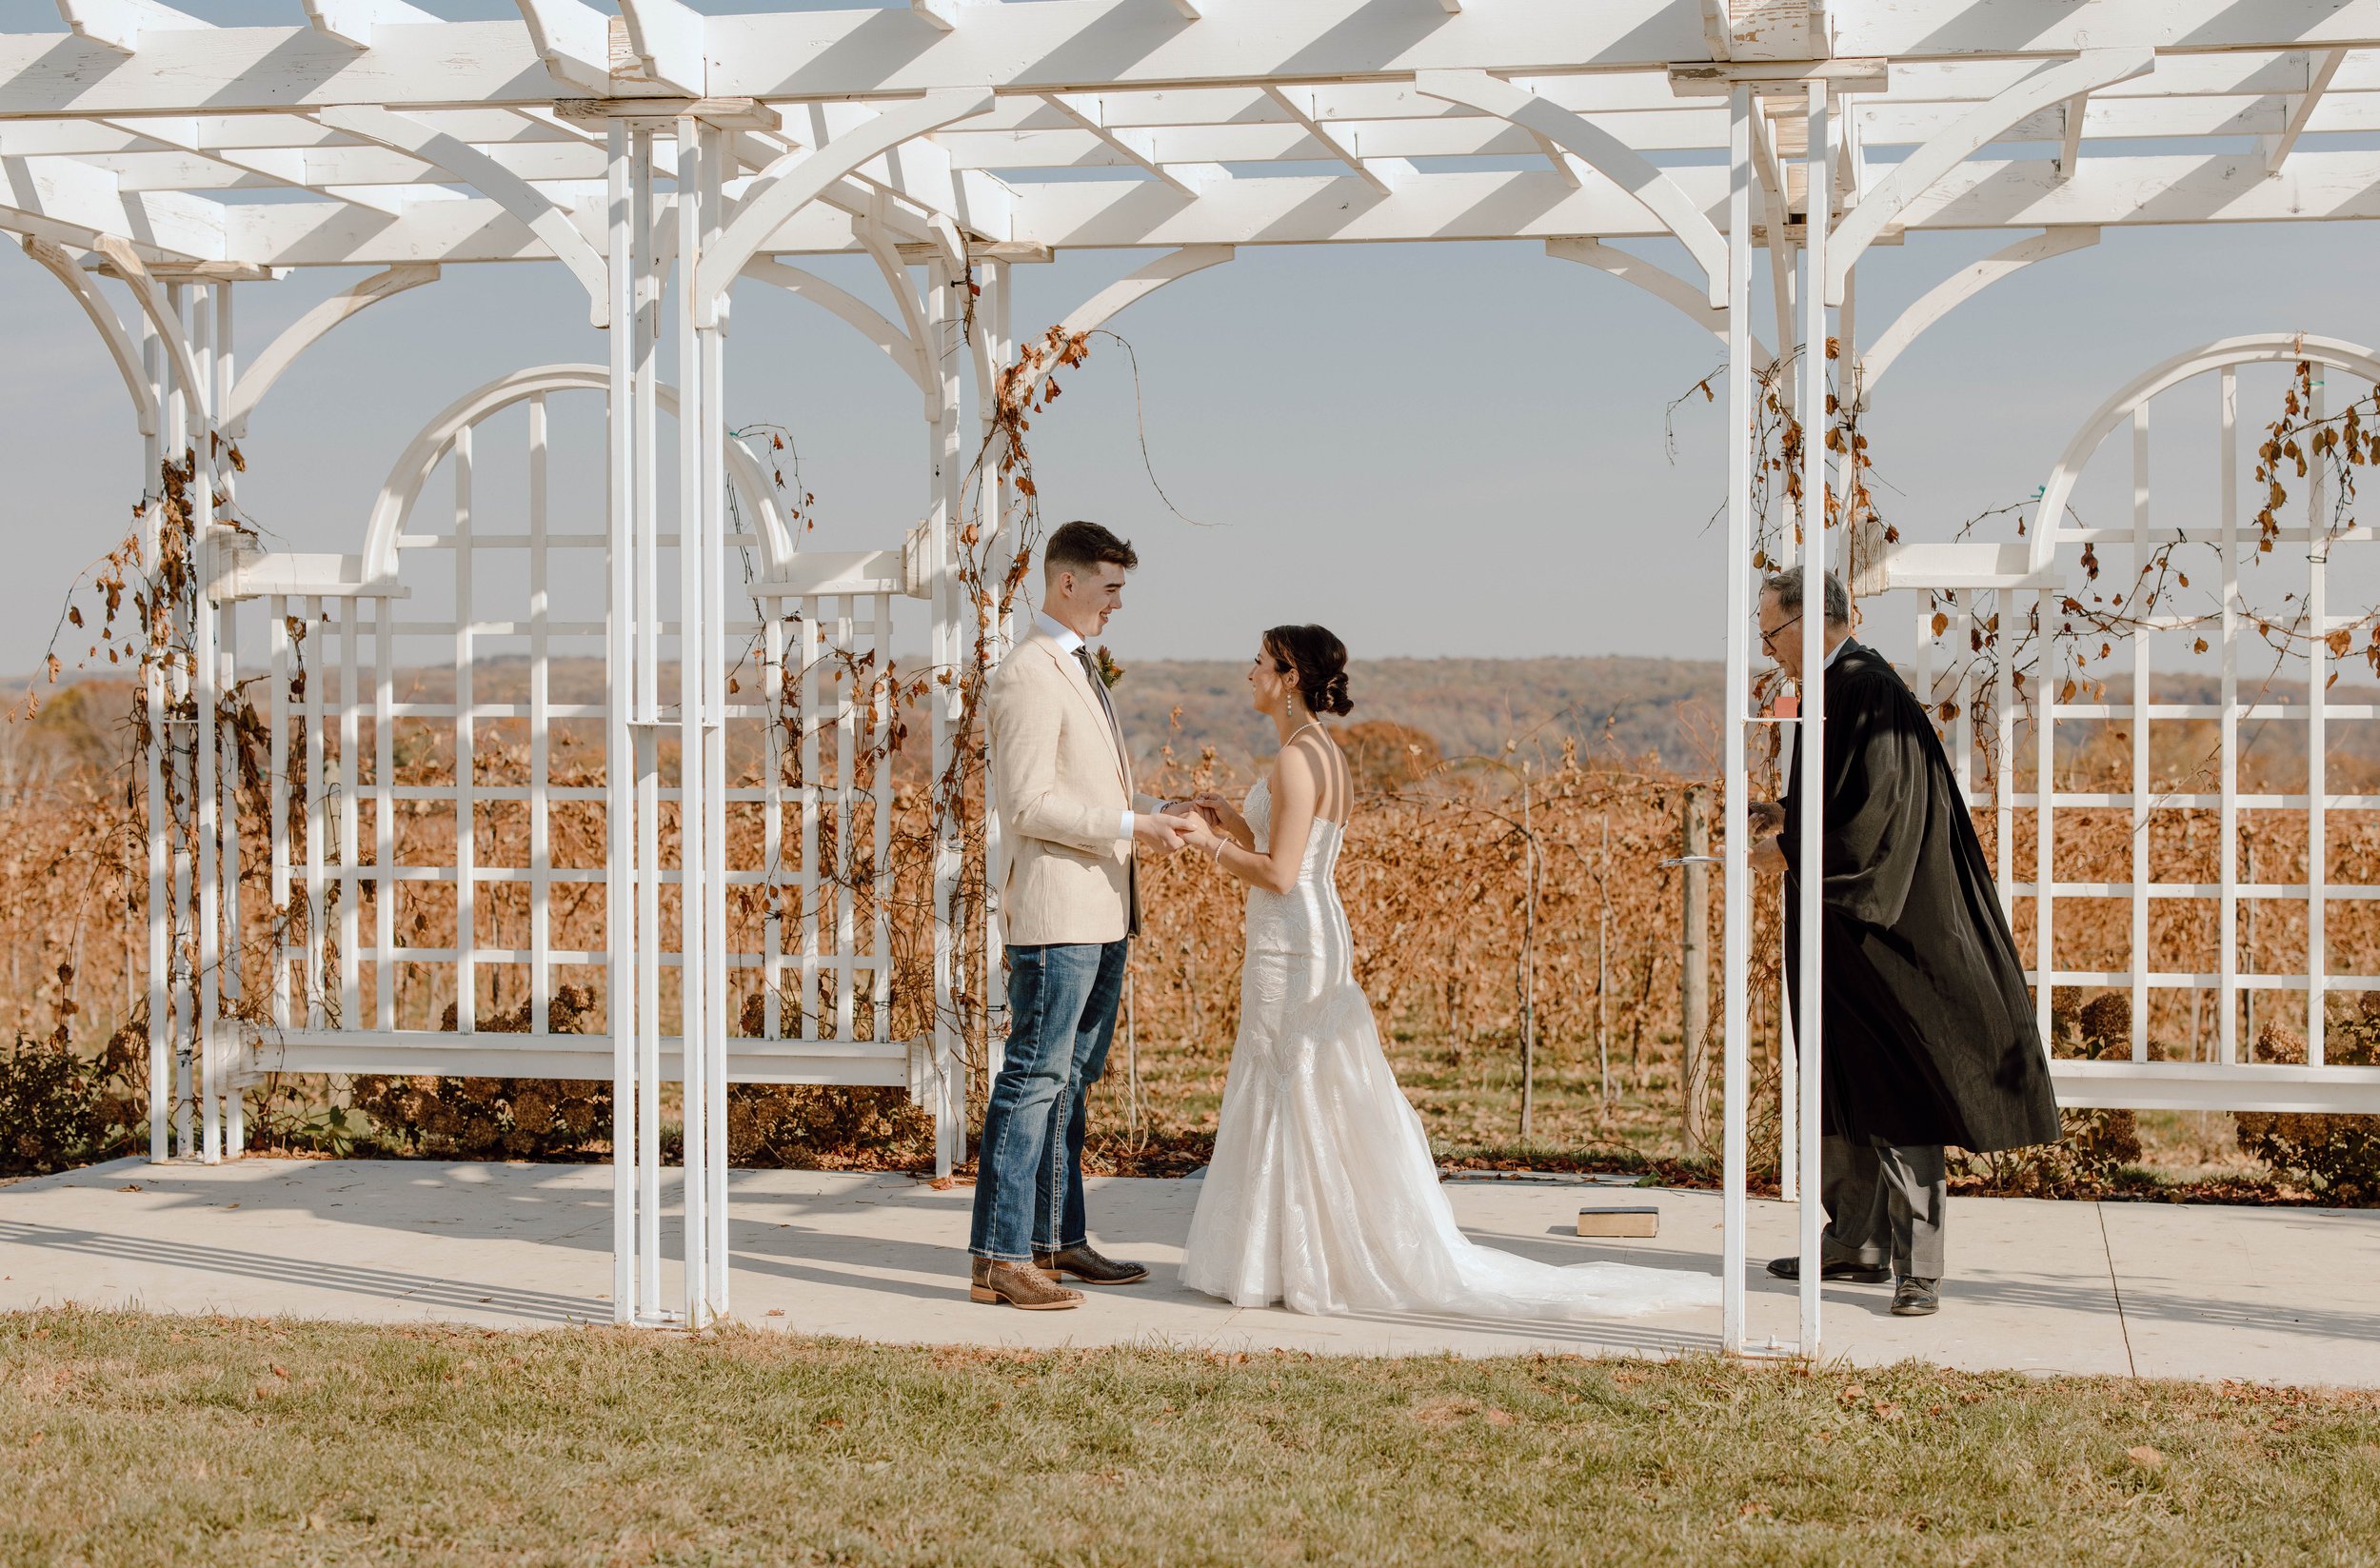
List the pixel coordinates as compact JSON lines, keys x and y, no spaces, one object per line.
{"x":1739,"y":708}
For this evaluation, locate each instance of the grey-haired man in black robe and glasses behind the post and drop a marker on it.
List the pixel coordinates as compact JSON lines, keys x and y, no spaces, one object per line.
{"x":1929,"y":1031}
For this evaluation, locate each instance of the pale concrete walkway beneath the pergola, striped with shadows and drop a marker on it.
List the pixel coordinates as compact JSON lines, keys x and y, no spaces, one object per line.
{"x":2134,"y":1291}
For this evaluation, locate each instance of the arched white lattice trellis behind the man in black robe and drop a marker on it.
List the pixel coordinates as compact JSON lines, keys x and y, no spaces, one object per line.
{"x":2034,"y":577}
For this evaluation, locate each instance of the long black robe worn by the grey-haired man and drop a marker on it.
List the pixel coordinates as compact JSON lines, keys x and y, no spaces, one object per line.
{"x":1929,"y":1027}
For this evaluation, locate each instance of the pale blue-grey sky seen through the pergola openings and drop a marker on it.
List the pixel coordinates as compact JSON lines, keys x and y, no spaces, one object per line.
{"x":1432,"y":449}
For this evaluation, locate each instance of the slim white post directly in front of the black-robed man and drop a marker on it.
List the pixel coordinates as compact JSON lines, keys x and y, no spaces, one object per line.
{"x":1815,"y":560}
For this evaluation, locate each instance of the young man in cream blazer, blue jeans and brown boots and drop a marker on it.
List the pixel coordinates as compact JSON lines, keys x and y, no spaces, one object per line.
{"x":1072,"y":827}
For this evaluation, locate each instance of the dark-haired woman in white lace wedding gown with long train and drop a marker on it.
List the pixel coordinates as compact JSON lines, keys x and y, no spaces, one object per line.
{"x":1322,"y":1191}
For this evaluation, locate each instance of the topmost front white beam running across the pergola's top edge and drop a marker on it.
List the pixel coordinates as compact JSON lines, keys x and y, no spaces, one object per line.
{"x":1063,"y":46}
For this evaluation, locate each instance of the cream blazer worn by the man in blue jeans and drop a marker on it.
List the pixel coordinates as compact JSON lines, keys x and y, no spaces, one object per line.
{"x":1063,"y":784}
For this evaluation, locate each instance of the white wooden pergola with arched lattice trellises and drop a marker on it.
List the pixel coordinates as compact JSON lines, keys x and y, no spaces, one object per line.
{"x":670,"y":158}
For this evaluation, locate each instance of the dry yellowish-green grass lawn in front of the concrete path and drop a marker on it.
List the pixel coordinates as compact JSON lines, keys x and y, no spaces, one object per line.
{"x":208,"y":1441}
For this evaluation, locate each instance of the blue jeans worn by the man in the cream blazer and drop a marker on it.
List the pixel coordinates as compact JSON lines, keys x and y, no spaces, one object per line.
{"x":1029,"y":1174}
